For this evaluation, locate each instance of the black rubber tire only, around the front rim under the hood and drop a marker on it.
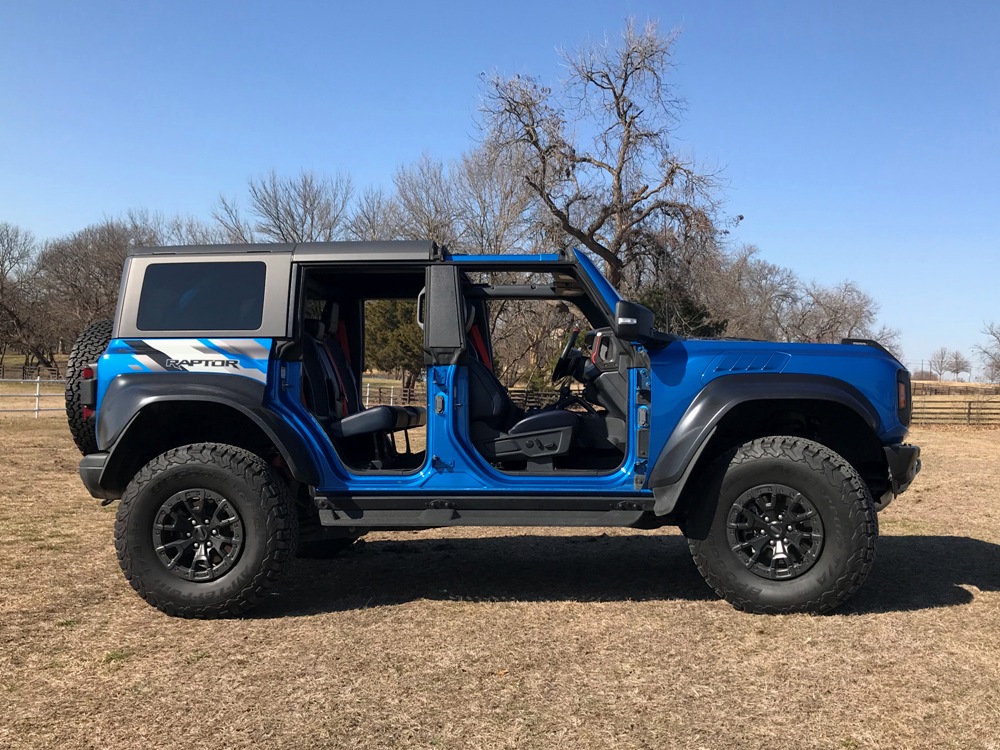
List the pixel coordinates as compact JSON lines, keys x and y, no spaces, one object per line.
{"x":834,"y":490}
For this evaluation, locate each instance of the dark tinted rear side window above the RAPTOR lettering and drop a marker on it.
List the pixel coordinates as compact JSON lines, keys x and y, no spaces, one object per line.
{"x":202,"y":297}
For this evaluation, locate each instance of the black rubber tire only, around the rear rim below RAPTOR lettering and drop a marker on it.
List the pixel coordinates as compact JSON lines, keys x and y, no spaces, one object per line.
{"x":259,"y":496}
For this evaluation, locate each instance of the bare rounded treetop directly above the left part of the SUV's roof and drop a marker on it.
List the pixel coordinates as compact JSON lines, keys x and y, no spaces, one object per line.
{"x":306,"y":208}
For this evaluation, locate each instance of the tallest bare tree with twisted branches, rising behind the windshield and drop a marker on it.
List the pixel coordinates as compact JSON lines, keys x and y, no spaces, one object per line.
{"x":614,"y":194}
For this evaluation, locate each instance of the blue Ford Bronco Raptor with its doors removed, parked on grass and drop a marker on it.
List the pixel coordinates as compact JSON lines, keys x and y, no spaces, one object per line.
{"x":222,"y":409}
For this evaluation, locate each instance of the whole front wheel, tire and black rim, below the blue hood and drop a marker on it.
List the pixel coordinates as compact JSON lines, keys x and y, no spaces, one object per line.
{"x":793,"y":529}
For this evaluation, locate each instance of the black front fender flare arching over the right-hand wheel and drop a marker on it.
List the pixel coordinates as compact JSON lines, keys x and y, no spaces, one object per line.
{"x":680,"y":454}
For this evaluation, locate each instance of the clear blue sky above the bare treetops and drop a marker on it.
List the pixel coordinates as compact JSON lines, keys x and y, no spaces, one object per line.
{"x":860,"y":140}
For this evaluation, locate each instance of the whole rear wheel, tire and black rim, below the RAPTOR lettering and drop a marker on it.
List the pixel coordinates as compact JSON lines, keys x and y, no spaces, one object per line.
{"x":205,"y":530}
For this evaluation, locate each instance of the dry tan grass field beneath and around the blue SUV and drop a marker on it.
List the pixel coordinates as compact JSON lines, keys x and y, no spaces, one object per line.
{"x":501,"y":639}
